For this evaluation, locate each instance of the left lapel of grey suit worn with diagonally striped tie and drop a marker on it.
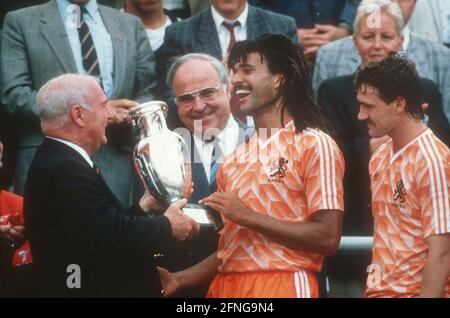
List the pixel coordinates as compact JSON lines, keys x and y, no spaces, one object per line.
{"x":54,"y":33}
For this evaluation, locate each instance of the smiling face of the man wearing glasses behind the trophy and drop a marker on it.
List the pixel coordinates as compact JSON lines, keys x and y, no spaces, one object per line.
{"x":213,"y":113}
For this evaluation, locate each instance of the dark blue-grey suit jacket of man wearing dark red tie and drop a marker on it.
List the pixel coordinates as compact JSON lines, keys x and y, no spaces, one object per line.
{"x":198,"y":34}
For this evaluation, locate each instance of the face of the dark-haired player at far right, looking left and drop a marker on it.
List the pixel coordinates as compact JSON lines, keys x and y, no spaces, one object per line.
{"x":381,"y":118}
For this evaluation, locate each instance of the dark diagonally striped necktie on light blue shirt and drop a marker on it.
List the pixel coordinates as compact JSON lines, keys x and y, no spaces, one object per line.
{"x":88,"y":52}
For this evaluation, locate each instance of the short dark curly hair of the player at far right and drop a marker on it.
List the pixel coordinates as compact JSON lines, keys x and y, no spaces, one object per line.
{"x":393,"y":77}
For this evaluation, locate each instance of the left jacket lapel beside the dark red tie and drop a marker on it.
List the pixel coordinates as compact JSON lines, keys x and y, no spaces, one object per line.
{"x":207,"y":36}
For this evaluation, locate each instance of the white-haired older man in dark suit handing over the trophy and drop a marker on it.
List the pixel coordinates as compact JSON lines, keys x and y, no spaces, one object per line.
{"x":85,"y":243}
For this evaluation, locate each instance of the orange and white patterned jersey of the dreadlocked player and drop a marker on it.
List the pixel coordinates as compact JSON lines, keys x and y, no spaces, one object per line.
{"x":289,"y":176}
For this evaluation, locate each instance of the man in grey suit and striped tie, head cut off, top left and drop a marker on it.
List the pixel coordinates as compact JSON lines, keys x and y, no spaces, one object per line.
{"x":80,"y":36}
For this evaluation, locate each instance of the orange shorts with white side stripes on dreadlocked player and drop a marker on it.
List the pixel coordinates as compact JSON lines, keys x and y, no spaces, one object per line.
{"x":267,"y":284}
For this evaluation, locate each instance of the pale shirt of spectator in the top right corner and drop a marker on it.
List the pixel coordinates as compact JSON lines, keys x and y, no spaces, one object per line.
{"x":431,"y":20}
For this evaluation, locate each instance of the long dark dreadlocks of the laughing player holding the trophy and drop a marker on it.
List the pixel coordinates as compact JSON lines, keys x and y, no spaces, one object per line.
{"x":287,"y":59}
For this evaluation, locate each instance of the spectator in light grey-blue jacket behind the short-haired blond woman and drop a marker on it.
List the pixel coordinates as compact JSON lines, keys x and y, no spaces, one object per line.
{"x":432,"y":59}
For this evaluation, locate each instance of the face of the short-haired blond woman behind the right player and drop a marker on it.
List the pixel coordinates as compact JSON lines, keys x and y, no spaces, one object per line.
{"x":374,"y":43}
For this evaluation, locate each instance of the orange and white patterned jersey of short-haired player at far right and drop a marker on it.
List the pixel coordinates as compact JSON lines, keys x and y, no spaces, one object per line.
{"x":410,"y":201}
